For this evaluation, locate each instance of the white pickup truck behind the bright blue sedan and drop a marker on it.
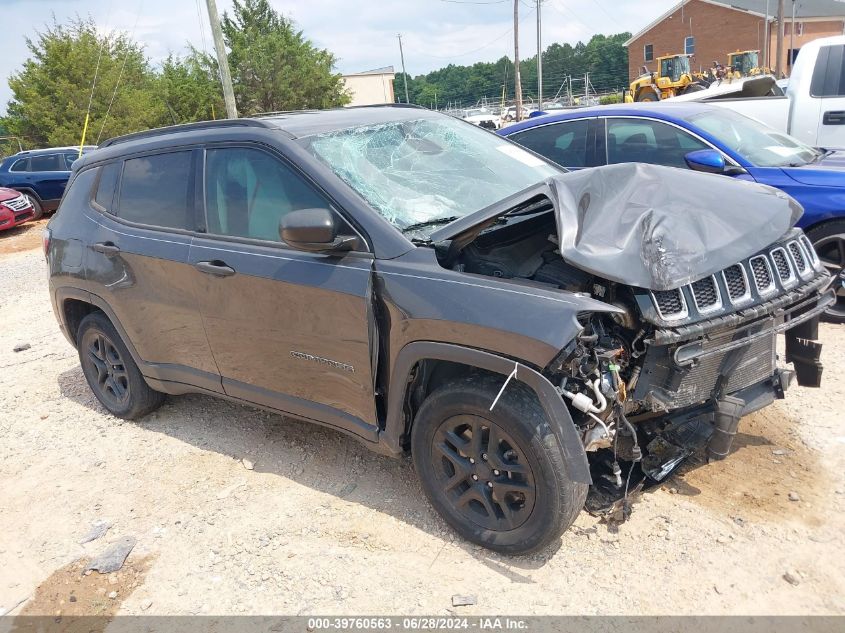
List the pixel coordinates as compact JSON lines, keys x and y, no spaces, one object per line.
{"x":813,"y":109}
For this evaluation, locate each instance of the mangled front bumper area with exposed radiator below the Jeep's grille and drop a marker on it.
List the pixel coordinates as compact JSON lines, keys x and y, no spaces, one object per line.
{"x":696,"y":388}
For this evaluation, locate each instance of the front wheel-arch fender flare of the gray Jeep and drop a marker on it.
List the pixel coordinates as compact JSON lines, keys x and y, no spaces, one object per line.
{"x":560,"y":421}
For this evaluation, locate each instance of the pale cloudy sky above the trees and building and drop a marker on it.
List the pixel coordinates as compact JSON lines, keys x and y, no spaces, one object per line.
{"x":361,"y":33}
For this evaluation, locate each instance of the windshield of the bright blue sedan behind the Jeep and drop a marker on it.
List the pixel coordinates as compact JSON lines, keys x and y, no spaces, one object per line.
{"x":757,"y":143}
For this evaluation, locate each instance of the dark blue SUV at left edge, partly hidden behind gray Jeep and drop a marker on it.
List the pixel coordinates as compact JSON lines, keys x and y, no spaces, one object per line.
{"x":40,"y":174}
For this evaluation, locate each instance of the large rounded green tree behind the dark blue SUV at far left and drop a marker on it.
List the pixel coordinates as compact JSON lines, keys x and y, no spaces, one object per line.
{"x":50,"y":93}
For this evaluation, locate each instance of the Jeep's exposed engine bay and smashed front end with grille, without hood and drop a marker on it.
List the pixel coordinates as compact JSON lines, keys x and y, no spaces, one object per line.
{"x":674,"y":370}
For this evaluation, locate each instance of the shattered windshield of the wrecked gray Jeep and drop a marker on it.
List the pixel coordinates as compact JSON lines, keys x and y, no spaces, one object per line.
{"x":428,"y":171}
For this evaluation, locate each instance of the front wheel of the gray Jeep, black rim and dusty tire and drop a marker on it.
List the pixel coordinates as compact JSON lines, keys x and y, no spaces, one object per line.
{"x":497,"y":477}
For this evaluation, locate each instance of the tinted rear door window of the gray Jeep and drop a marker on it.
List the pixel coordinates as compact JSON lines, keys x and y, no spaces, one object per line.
{"x":157,"y":190}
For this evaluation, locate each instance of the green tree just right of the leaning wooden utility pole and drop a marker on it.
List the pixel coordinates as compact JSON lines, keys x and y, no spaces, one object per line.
{"x":273,"y":66}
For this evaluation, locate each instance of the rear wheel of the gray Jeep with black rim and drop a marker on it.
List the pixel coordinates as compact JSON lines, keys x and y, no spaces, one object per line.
{"x":111,"y":372}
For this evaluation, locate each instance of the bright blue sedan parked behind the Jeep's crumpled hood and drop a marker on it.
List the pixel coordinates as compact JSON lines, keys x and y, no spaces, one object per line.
{"x":705,"y":138}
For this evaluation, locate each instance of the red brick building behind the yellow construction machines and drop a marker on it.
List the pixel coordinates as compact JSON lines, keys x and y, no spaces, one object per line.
{"x":710,"y":29}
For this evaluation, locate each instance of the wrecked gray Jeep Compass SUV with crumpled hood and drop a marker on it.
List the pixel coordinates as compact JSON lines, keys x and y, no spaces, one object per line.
{"x":536,"y":340}
